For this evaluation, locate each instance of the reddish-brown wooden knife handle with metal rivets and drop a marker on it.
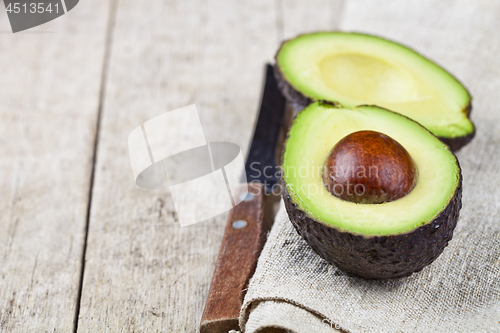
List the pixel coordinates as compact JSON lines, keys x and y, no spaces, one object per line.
{"x":244,"y":237}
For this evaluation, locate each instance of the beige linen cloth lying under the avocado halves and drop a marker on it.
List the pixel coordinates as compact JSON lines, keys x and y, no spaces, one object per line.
{"x":295,"y":290}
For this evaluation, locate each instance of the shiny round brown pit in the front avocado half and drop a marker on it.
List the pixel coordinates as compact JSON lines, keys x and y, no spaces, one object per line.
{"x":369,"y":167}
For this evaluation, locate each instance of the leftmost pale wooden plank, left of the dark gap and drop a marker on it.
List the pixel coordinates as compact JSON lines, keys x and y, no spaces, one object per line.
{"x":49,"y":98}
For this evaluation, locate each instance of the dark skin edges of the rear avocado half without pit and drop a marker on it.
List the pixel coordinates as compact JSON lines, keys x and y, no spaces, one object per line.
{"x":298,"y":101}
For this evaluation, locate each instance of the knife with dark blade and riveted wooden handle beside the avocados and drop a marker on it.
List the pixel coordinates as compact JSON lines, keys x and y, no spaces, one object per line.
{"x":249,"y":221}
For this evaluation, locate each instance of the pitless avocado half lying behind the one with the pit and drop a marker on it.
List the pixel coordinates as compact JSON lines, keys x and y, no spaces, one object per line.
{"x":356,"y":69}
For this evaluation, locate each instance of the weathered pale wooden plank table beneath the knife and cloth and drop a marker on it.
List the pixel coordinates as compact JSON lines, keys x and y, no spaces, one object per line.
{"x":81,"y":247}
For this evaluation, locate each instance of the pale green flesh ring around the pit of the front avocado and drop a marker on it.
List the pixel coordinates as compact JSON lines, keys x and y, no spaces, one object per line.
{"x":315,"y":132}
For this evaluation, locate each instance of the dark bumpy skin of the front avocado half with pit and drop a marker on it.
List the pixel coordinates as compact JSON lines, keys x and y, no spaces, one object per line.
{"x":378,"y":257}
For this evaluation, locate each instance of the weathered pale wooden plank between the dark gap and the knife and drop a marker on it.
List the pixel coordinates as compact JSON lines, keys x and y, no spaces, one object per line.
{"x":143,"y":272}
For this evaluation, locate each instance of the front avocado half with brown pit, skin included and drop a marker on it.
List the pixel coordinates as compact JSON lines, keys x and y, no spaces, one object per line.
{"x":391,"y":239}
